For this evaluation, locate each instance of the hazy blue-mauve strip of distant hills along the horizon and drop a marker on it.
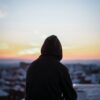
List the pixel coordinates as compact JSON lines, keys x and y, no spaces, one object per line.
{"x":16,"y":62}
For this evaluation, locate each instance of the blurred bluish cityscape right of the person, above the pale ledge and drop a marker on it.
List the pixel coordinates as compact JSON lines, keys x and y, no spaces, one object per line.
{"x":84,"y":73}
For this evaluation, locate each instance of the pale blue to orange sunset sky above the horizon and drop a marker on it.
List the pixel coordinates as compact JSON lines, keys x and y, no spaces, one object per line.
{"x":24,"y":25}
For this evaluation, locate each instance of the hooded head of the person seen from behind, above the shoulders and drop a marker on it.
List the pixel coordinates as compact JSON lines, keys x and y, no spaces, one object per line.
{"x":52,"y":47}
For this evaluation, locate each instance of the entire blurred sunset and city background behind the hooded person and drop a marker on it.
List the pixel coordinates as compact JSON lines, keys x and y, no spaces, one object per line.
{"x":24,"y":25}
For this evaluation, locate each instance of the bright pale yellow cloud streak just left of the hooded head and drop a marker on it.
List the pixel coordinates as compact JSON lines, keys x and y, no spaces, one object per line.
{"x":29,"y":51}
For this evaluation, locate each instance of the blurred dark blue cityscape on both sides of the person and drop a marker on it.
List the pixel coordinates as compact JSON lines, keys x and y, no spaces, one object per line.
{"x":13,"y":77}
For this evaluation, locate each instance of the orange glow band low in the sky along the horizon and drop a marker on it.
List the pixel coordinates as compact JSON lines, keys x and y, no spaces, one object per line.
{"x":75,"y":53}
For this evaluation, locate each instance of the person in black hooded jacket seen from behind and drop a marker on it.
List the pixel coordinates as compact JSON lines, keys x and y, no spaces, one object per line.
{"x":47,"y":78}
